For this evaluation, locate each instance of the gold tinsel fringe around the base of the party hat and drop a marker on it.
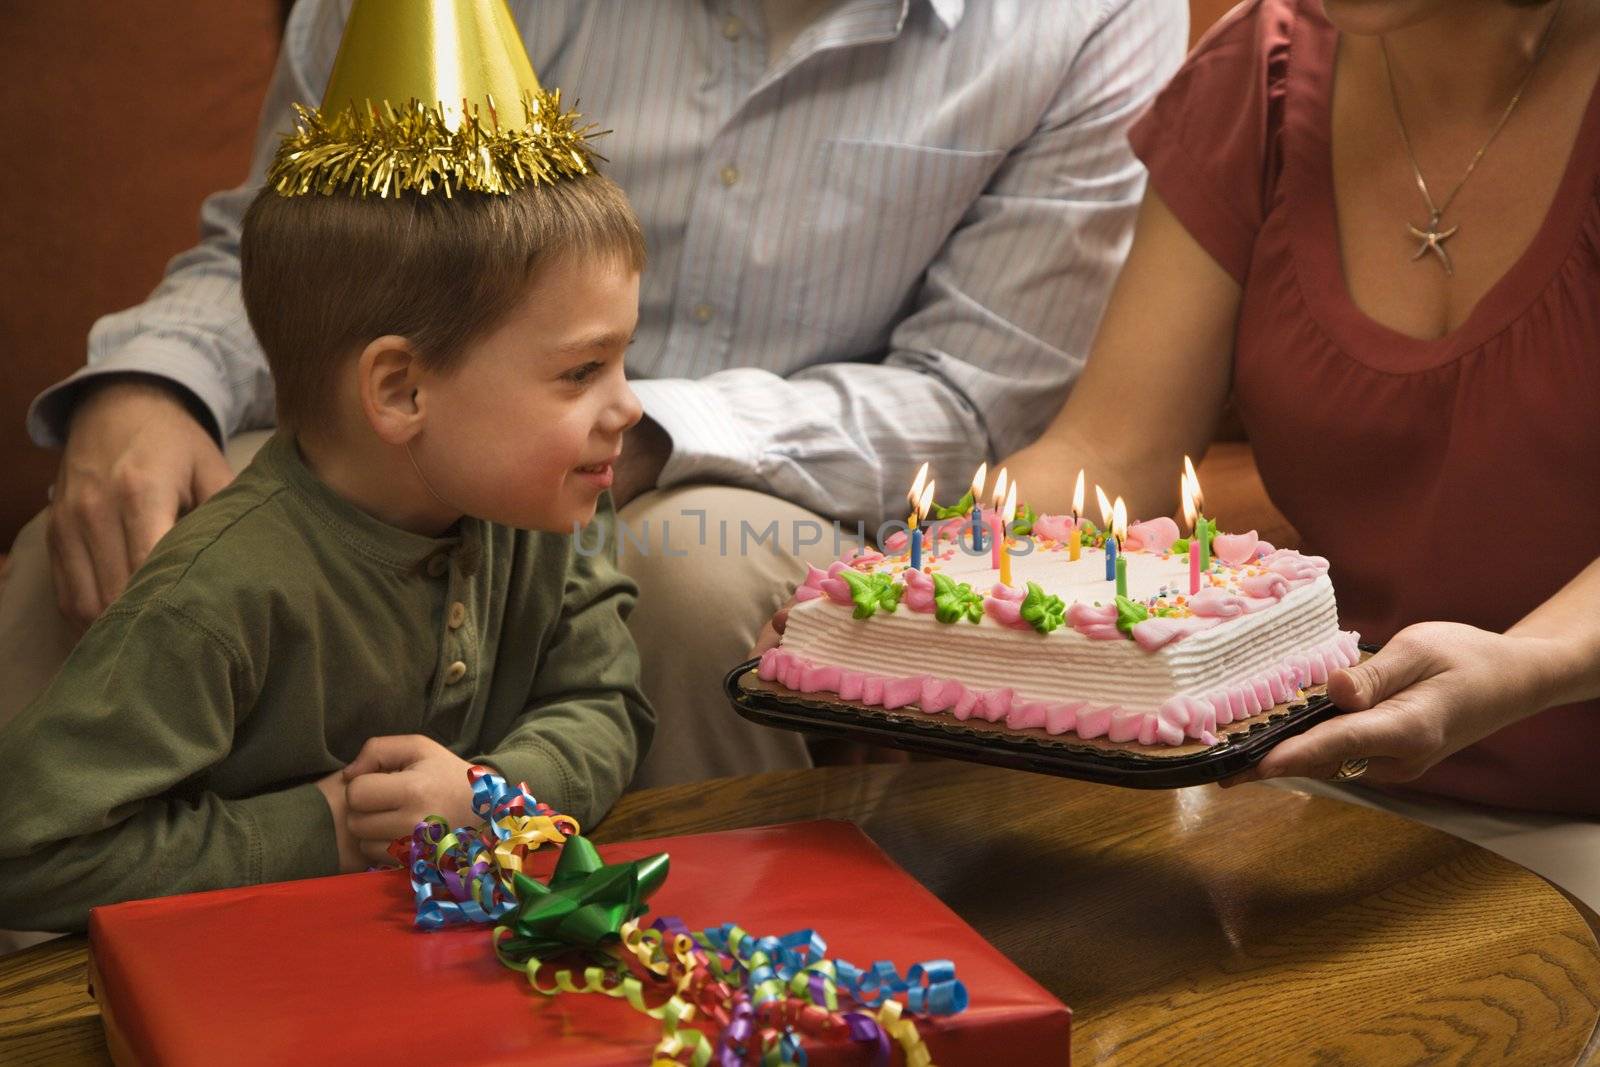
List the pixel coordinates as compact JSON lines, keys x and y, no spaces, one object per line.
{"x":415,"y":150}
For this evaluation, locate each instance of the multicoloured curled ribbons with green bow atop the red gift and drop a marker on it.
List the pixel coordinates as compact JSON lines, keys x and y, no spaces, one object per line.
{"x":761,"y":996}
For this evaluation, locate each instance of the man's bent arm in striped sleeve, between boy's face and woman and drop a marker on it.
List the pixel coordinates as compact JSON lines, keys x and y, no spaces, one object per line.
{"x":982,"y":364}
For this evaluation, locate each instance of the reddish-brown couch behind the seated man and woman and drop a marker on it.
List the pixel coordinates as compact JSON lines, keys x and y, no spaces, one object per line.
{"x":124,"y":118}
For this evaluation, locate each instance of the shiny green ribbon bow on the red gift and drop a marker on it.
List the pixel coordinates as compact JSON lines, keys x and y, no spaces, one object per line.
{"x":585,"y":903}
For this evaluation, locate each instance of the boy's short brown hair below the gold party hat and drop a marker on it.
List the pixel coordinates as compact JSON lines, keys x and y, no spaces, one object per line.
{"x":324,"y":276}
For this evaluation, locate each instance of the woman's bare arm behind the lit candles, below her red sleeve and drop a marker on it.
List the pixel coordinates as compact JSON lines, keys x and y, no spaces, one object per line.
{"x":1154,"y":383}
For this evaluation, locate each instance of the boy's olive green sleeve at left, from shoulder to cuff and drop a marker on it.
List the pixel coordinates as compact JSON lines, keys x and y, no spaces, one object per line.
{"x":100,"y":793}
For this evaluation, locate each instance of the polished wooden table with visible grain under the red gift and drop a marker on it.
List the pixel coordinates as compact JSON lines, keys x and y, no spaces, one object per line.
{"x":1191,"y":927}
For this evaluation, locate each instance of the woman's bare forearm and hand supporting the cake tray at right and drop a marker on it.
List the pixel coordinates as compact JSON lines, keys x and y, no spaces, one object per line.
{"x":1439,"y":687}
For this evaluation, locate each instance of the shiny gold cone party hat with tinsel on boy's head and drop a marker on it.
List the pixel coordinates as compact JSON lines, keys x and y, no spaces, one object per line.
{"x":431,"y":95}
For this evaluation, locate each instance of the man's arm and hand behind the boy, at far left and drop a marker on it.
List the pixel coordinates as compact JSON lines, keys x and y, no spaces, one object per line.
{"x":167,"y":380}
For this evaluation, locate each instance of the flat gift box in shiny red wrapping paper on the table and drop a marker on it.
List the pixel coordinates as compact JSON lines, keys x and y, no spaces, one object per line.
{"x":332,"y":970}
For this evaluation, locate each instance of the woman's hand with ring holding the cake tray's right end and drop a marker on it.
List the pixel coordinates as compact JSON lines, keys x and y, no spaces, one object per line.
{"x":1436,"y":689}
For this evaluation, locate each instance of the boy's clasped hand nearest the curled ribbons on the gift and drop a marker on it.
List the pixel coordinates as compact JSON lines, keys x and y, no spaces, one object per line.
{"x":396,"y":783}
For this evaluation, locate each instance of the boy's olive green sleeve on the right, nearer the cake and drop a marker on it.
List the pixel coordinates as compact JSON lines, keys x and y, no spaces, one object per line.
{"x":588,"y":724}
